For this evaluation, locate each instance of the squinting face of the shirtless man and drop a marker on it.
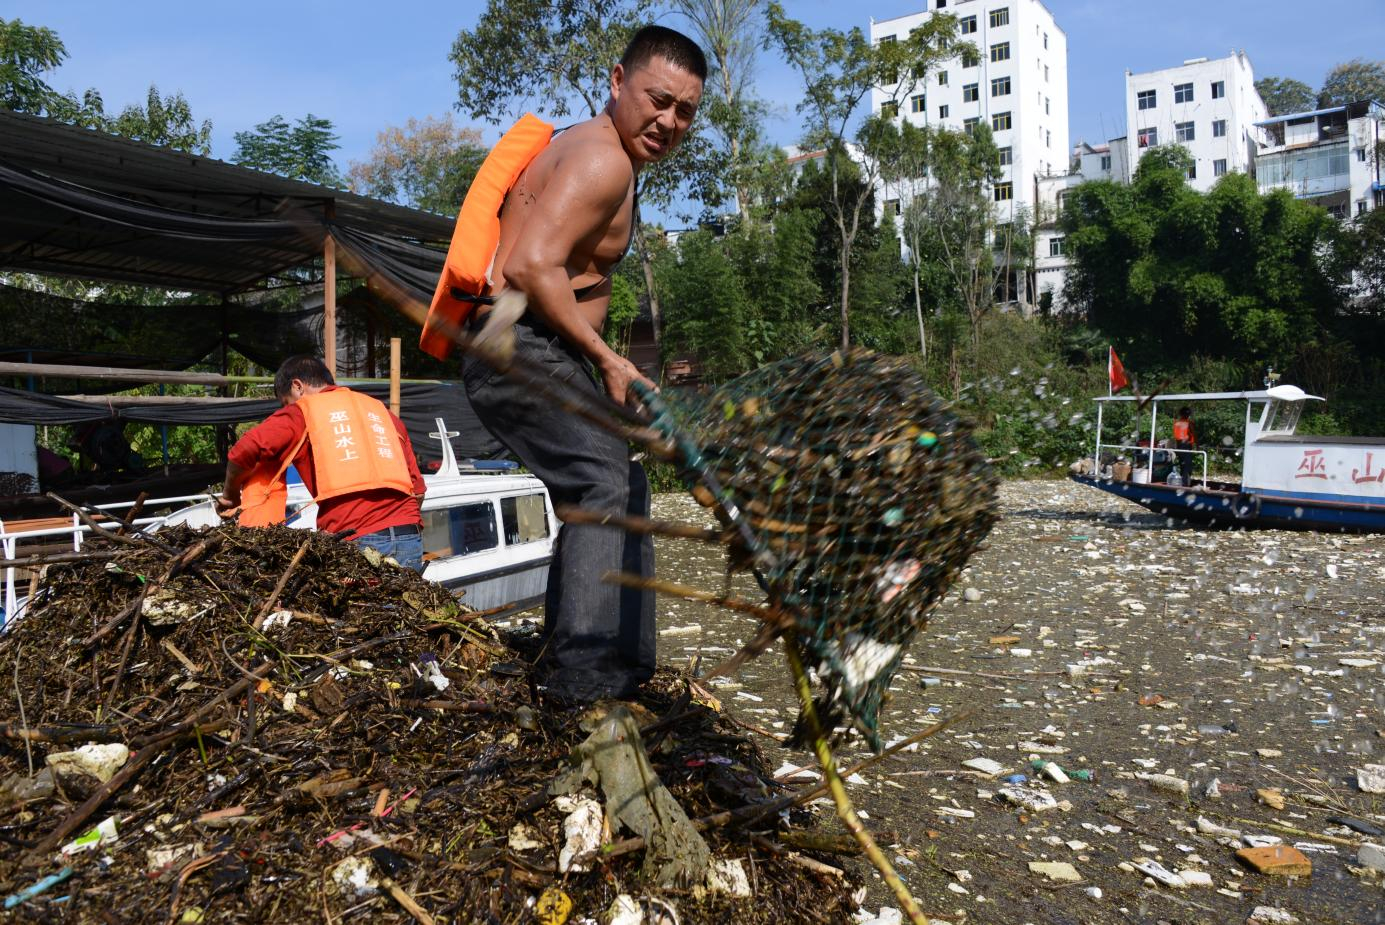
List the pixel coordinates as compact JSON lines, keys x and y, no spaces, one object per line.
{"x":654,"y":107}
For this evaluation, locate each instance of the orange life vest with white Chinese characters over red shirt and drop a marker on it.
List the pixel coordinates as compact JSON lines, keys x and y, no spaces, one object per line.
{"x":355,"y":448}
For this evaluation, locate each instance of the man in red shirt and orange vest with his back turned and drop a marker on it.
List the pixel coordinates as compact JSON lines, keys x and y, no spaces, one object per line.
{"x":354,"y":458}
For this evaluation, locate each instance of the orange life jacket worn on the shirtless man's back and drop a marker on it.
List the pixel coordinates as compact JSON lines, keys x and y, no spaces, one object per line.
{"x":477,"y":235}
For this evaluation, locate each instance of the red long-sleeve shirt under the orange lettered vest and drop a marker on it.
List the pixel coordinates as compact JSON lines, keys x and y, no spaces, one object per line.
{"x":361,"y":513}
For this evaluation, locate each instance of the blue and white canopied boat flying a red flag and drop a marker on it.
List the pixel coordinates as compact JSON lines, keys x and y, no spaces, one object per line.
{"x":1289,"y":481}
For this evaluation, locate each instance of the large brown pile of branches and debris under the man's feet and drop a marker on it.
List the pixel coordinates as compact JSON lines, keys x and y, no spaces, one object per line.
{"x":269,"y":726}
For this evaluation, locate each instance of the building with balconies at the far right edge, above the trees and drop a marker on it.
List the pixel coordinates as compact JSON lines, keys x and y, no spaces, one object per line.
{"x":1329,"y":157}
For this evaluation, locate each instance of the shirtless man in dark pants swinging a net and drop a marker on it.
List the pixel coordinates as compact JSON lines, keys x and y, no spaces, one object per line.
{"x":563,"y":229}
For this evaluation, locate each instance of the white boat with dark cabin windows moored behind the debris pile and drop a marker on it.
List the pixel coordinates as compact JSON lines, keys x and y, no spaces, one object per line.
{"x":488,"y":532}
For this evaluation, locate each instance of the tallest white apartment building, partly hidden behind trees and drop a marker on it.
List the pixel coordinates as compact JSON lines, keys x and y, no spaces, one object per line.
{"x":1016,"y":82}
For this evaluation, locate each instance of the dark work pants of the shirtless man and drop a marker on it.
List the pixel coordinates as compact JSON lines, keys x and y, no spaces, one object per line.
{"x":600,"y":635}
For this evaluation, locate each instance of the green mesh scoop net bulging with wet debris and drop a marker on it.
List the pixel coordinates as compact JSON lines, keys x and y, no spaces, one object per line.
{"x":857,"y":501}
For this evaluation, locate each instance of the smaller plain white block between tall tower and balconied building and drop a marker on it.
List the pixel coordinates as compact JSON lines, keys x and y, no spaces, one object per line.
{"x":1210,"y":107}
